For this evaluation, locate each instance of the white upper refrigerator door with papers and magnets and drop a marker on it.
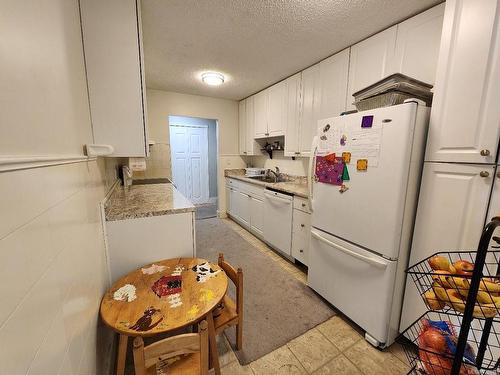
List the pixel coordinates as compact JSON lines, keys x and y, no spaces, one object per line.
{"x":370,"y":213}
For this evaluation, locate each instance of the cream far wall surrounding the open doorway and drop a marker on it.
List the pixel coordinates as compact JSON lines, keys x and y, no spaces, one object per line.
{"x":162,"y":104}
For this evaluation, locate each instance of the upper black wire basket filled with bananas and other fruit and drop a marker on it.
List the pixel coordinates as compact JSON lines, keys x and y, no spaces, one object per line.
{"x":443,"y":281}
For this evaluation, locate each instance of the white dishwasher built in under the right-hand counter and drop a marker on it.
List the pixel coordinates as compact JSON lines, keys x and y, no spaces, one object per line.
{"x":278,"y":209}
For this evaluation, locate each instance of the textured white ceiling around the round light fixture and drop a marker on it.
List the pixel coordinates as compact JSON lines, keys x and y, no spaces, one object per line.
{"x":254,"y":43}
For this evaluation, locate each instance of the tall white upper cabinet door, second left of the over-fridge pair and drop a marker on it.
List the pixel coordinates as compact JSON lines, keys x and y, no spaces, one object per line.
{"x":310,"y":104}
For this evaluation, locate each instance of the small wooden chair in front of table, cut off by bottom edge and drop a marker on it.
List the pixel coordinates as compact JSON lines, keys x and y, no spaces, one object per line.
{"x":181,"y":354}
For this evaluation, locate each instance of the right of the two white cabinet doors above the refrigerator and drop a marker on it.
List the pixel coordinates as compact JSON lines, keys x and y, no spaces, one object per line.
{"x":417,"y":44}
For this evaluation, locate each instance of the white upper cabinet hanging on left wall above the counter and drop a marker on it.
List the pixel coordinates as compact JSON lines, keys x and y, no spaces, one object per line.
{"x":115,"y":74}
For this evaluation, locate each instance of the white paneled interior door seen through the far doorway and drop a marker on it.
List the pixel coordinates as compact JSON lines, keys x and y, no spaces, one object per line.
{"x":189,"y":149}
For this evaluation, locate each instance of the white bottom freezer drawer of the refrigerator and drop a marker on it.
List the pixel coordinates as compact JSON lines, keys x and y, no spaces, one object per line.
{"x":357,"y":282}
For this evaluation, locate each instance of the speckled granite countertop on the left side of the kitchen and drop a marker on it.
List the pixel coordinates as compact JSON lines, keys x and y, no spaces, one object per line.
{"x":144,"y":201}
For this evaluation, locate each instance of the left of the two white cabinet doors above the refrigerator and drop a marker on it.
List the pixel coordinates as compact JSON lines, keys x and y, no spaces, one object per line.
{"x":371,"y":60}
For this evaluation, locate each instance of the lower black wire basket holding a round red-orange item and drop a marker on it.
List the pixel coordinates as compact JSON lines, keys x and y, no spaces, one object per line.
{"x":429,"y":347}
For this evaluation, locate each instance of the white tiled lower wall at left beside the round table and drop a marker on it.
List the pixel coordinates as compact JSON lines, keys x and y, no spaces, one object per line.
{"x":54,"y":272}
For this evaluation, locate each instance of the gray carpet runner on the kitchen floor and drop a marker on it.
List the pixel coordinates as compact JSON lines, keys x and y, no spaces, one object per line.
{"x":277,"y":308}
